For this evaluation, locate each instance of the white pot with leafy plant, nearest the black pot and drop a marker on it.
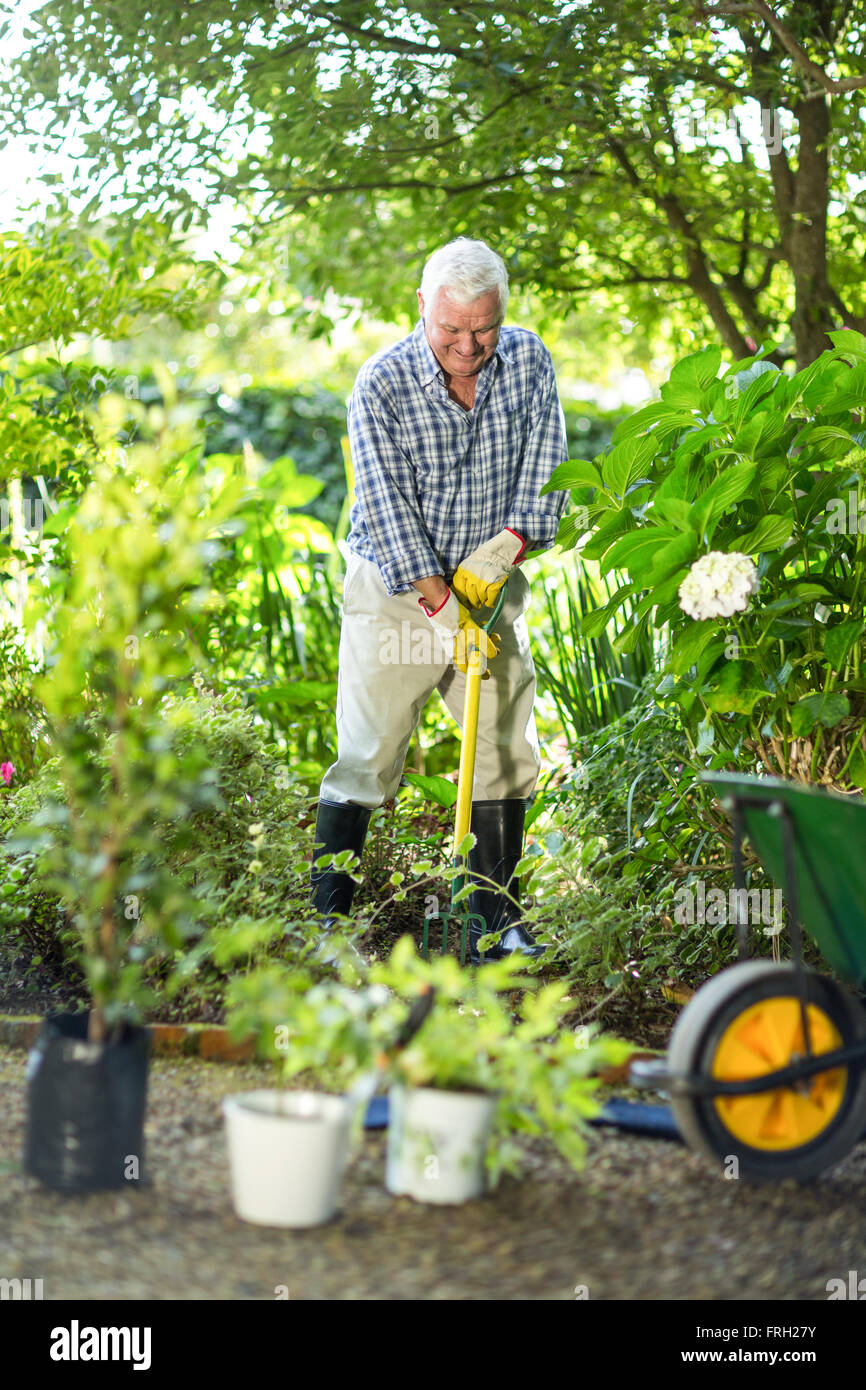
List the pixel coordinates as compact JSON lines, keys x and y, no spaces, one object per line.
{"x":288,"y":1149}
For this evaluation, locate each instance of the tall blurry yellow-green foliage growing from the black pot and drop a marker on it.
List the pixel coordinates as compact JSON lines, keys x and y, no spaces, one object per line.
{"x":140,"y":547}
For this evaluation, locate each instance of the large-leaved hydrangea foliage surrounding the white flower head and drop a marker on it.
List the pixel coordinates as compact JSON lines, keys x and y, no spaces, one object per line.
{"x":762,"y":465}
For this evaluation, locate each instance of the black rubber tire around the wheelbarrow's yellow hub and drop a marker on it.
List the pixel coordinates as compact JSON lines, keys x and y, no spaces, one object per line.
{"x":693,"y":1049}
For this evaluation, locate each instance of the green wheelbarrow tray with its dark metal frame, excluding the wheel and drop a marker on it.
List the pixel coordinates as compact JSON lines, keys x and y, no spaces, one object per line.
{"x":814,"y":843}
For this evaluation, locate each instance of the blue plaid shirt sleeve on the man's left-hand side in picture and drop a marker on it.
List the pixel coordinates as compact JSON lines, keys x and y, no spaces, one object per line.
{"x":386,"y":489}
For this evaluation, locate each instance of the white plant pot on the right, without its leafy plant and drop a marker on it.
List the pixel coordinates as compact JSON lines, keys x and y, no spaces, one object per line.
{"x":437,"y":1143}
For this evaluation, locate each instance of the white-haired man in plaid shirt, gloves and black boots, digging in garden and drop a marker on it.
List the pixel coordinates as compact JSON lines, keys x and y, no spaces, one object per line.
{"x":454,"y":433}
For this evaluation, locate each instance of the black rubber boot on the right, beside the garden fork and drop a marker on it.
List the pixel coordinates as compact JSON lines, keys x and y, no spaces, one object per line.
{"x":498,"y":831}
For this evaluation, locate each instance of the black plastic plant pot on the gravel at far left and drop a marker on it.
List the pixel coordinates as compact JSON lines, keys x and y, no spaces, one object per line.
{"x":87,"y":1107}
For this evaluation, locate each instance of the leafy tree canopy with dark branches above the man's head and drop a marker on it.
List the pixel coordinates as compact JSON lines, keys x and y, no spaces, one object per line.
{"x":698,"y":155}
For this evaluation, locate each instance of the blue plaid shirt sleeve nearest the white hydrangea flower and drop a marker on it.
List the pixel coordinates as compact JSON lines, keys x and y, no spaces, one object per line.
{"x":537,"y":519}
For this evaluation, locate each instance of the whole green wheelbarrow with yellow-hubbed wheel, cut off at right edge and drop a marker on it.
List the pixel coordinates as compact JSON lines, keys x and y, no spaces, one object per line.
{"x":767,"y":1064}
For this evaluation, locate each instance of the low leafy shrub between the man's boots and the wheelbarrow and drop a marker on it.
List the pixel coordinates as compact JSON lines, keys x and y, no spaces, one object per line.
{"x":618,"y":846}
